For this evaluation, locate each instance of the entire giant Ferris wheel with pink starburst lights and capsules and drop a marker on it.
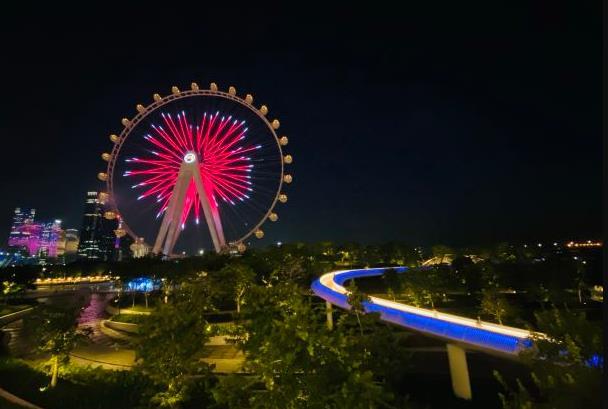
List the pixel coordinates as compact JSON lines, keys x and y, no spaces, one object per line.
{"x":197,"y":157}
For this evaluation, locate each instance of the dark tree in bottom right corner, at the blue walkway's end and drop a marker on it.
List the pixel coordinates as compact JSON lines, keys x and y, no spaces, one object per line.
{"x":566,"y":367}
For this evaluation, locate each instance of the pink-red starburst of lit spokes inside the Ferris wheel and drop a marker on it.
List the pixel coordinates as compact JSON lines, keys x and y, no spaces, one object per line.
{"x":224,"y":169}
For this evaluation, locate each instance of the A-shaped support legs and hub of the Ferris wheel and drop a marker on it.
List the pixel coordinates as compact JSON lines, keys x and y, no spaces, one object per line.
{"x":171,"y":226}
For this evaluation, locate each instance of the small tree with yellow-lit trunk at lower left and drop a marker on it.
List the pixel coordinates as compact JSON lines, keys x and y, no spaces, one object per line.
{"x":56,"y":332}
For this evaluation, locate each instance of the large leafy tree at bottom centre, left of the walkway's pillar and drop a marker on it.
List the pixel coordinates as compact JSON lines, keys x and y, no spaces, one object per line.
{"x":295,"y":360}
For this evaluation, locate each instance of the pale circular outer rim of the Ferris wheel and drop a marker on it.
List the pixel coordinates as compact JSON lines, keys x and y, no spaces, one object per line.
{"x":145,"y":111}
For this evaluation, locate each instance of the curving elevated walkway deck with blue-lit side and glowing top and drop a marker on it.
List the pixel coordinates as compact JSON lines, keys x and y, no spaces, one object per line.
{"x":470,"y":332}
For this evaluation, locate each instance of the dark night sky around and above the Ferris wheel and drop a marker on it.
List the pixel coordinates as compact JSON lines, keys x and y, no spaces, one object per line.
{"x":458,"y":124}
